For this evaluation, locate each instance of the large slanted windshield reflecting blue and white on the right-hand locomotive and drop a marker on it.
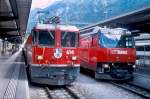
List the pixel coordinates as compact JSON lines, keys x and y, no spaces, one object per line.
{"x":115,"y":39}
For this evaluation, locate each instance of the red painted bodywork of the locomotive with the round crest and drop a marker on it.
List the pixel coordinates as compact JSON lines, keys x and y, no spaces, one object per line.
{"x":47,"y":53}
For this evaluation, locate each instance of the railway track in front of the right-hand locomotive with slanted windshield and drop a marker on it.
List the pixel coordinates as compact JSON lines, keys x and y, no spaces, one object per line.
{"x":134,"y":88}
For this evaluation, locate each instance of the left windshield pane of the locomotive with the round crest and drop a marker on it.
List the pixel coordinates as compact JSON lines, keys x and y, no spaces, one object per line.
{"x":46,"y":38}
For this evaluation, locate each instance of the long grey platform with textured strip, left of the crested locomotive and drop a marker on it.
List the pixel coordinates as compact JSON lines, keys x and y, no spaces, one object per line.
{"x":13,"y":79}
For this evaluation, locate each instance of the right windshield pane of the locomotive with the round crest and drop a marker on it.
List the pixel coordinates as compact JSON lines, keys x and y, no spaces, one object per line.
{"x":69,"y":39}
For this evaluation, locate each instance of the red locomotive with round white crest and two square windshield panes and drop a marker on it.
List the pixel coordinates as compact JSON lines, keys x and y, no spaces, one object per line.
{"x":51,"y":54}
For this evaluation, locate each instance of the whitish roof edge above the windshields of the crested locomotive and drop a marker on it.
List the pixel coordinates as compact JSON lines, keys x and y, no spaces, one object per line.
{"x":52,"y":27}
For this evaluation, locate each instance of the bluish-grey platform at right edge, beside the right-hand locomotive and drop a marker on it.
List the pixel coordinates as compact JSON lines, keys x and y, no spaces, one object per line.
{"x":142,"y":77}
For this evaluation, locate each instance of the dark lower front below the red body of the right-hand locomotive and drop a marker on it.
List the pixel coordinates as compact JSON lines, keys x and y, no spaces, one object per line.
{"x":114,"y":71}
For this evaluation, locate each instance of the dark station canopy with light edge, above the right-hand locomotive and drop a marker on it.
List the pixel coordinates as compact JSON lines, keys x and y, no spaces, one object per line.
{"x":138,"y":21}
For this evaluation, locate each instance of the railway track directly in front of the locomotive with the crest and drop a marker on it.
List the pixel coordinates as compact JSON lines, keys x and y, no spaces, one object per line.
{"x":63,"y":93}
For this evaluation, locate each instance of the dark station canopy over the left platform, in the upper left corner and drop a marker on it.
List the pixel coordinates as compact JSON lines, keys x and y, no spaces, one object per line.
{"x":13,"y":19}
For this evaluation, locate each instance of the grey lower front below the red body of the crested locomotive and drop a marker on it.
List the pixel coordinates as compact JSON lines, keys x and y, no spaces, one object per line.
{"x":54,"y":75}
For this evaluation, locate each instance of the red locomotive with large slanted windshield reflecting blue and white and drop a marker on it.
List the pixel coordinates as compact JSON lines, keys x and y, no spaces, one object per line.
{"x":110,"y":53}
